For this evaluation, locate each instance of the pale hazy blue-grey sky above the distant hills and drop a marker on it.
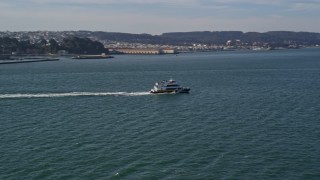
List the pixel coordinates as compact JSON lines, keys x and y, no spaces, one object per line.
{"x":159,"y":16}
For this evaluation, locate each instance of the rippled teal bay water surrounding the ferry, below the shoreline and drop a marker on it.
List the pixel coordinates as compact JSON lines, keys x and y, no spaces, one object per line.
{"x":249,"y":115}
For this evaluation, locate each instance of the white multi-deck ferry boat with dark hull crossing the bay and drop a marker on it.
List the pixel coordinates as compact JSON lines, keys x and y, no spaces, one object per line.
{"x":168,"y":86}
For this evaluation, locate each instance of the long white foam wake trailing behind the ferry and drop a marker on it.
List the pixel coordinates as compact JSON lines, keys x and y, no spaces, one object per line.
{"x":71,"y":94}
